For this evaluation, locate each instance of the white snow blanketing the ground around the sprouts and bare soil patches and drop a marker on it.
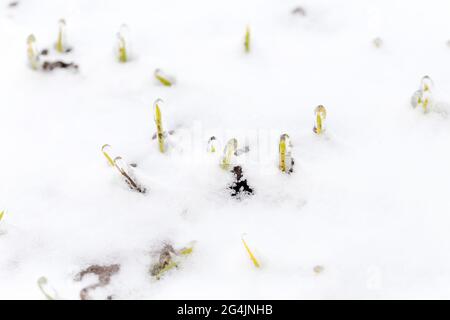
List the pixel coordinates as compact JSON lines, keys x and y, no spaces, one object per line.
{"x":369,"y":201}
